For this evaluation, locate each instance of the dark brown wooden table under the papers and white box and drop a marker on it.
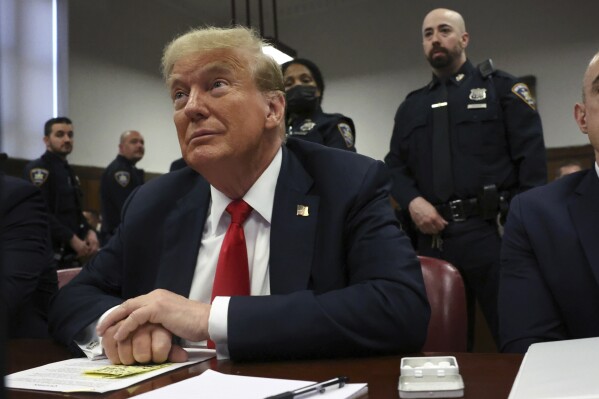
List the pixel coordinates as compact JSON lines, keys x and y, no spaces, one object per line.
{"x":488,"y":376}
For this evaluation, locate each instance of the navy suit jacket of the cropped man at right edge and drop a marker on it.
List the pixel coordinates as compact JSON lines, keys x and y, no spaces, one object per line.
{"x":549,"y":287}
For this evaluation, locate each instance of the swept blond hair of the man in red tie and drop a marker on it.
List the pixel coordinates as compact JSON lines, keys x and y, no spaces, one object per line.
{"x":264,"y":69}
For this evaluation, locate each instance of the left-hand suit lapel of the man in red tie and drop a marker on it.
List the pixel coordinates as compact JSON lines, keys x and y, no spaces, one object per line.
{"x":182,"y":236}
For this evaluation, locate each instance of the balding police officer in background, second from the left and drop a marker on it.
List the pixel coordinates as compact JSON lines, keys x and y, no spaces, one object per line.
{"x":119,"y":179}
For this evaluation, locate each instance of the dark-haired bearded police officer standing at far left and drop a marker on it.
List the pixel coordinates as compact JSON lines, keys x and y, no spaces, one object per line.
{"x":72,"y":238}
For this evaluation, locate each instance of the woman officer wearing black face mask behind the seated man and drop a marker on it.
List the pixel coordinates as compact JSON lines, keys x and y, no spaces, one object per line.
{"x":304,"y":87}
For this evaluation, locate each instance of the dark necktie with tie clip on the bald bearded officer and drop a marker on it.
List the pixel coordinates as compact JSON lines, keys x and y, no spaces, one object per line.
{"x":442,"y":170}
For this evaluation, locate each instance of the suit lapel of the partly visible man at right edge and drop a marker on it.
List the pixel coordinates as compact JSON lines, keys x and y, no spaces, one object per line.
{"x":584,"y":210}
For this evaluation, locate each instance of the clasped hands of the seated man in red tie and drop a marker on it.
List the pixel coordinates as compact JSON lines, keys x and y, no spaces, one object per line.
{"x":140,"y":330}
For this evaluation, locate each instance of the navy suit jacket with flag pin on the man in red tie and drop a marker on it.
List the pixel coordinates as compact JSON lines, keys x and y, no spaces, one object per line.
{"x":344,"y":280}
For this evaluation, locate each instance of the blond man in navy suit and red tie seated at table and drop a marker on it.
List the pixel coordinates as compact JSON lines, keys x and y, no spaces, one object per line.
{"x":268,"y":250}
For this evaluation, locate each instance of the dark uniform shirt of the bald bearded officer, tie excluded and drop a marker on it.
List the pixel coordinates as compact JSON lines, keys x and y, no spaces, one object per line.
{"x":495,"y":132}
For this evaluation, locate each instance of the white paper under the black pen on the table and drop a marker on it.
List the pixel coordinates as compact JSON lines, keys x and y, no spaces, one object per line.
{"x":212,"y":384}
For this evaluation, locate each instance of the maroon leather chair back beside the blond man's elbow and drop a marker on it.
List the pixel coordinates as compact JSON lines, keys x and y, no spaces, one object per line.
{"x":447,"y":329}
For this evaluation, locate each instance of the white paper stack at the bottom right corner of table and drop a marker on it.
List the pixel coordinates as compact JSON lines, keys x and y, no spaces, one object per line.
{"x":560,"y":369}
